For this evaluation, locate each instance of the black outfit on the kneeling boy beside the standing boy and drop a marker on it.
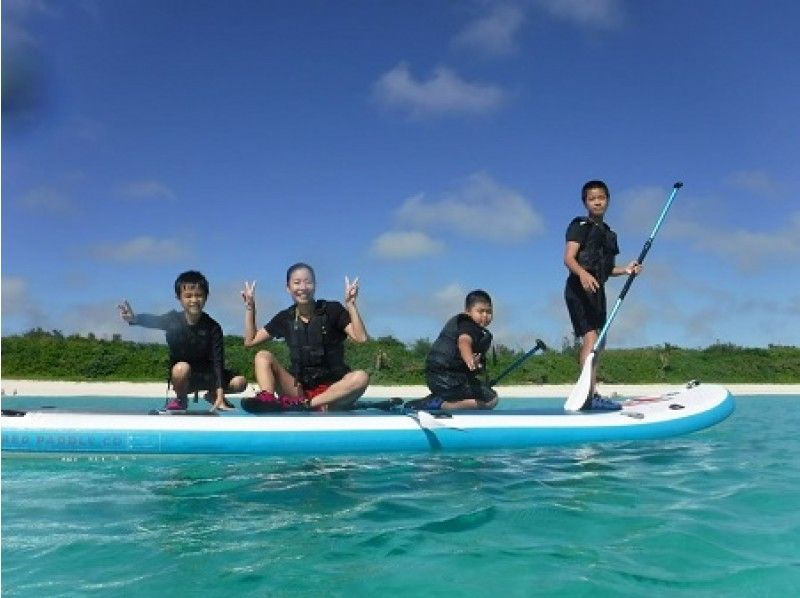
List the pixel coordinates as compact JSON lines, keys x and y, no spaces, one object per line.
{"x":445,"y":371}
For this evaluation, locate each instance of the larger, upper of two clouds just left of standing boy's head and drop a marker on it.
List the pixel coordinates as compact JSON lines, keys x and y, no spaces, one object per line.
{"x":482,"y":209}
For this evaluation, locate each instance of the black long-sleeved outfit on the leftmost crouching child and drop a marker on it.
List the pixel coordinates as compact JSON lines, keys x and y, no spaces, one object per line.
{"x":200,"y":345}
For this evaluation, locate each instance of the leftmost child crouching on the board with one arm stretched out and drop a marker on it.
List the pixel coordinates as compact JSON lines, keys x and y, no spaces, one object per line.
{"x":196,"y":352}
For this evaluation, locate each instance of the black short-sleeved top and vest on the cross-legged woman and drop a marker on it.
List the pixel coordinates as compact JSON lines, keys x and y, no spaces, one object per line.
{"x":316,"y":348}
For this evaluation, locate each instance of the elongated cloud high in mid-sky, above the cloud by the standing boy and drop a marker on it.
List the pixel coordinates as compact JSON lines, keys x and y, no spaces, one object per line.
{"x":444,"y":93}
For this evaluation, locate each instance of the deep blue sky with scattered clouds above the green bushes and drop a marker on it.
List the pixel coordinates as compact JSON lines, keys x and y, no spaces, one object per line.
{"x":426,"y":147}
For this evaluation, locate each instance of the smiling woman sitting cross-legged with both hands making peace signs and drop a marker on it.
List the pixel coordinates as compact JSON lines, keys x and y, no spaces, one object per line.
{"x":315,"y":331}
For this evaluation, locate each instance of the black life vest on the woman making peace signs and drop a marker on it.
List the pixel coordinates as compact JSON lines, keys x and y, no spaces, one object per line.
{"x":316,"y":357}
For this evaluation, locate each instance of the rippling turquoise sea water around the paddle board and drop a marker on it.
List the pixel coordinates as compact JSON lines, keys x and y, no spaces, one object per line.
{"x":715,"y":513}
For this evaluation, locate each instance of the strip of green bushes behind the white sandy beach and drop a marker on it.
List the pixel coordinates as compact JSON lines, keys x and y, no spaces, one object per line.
{"x":49,"y":355}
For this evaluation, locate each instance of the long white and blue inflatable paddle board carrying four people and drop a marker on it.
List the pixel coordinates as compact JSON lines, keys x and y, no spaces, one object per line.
{"x":673,"y":413}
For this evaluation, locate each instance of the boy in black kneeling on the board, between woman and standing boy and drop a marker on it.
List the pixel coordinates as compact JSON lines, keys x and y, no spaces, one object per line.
{"x":458,"y":356}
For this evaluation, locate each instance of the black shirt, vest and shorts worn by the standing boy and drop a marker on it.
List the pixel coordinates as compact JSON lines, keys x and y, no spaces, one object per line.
{"x":597,"y":252}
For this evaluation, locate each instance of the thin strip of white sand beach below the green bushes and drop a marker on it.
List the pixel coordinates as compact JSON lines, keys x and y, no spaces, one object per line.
{"x":55,"y":388}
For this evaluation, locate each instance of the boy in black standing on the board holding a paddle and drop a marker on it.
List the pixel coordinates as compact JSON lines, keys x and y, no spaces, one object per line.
{"x":589,"y":256}
